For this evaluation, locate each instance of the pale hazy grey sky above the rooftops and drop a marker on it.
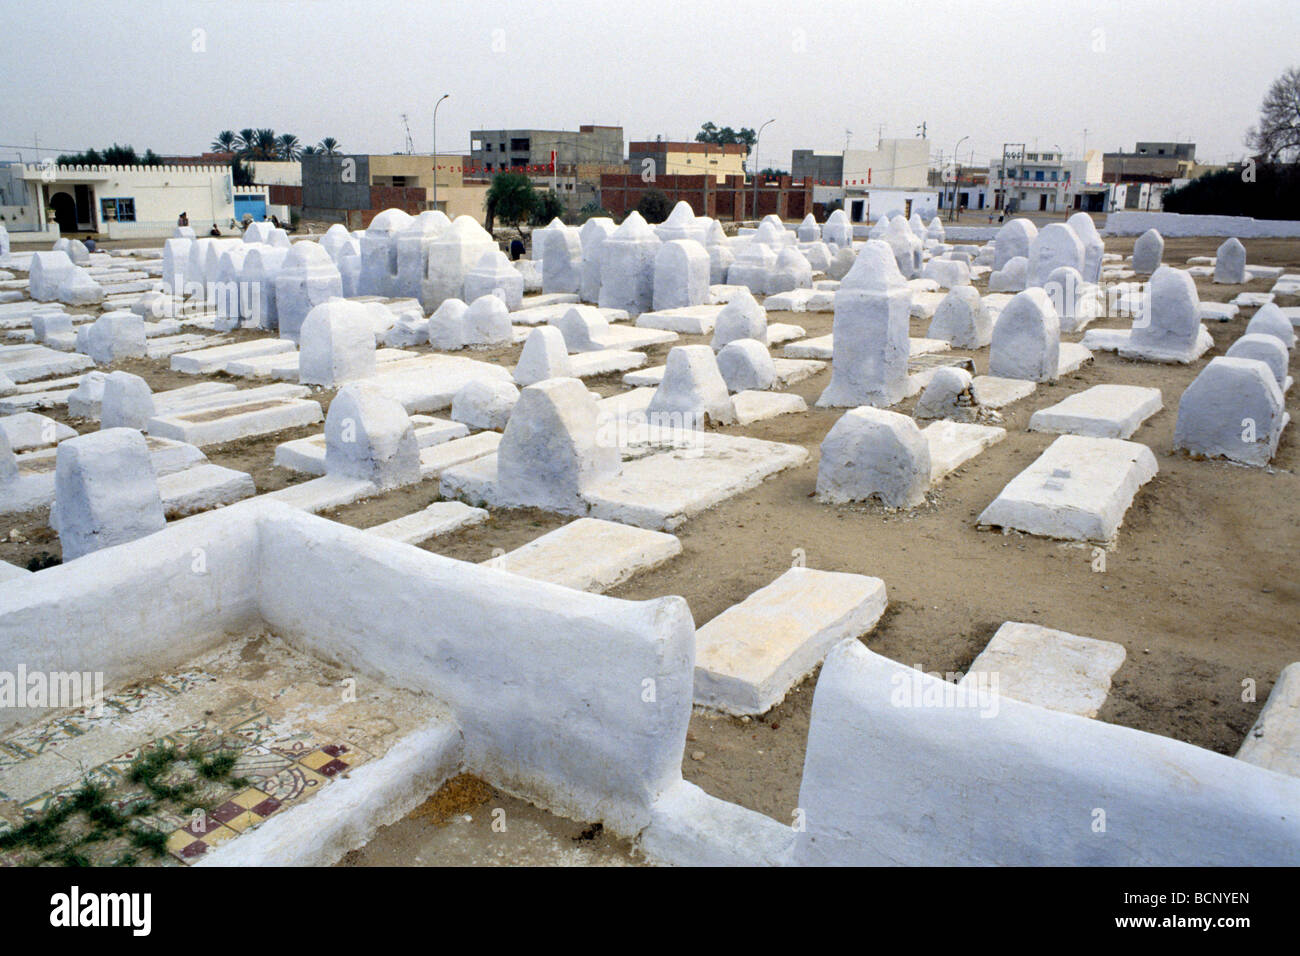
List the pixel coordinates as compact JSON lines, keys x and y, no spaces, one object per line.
{"x":172,"y":75}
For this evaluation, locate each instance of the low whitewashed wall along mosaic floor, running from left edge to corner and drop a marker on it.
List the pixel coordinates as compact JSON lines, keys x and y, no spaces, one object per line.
{"x":135,"y":611}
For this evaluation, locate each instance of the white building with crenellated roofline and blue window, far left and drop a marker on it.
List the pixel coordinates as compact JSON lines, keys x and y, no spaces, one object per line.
{"x":115,"y":202}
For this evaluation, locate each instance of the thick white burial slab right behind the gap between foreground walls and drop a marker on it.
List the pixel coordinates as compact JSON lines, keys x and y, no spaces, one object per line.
{"x":753,"y":654}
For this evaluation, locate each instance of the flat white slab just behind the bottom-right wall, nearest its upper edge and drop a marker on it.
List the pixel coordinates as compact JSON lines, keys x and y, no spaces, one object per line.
{"x":1046,"y":668}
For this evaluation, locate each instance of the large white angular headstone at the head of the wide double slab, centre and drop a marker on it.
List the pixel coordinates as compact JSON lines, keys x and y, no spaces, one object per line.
{"x":551,"y":452}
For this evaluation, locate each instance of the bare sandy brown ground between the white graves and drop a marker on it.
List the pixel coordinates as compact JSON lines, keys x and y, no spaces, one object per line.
{"x":1201,"y":589}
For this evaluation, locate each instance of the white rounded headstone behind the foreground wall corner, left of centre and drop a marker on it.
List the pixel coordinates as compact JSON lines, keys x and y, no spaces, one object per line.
{"x":370,"y":438}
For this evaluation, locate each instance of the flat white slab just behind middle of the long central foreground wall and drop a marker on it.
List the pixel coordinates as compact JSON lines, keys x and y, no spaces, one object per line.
{"x":590,"y":555}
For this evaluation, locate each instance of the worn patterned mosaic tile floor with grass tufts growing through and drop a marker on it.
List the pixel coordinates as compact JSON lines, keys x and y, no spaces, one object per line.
{"x":278,"y":712}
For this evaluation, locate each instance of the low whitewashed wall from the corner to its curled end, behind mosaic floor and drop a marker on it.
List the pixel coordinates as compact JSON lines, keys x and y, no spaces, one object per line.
{"x":575,"y":702}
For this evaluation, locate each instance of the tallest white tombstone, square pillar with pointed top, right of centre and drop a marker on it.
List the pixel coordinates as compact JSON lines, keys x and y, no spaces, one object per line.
{"x":869,"y":362}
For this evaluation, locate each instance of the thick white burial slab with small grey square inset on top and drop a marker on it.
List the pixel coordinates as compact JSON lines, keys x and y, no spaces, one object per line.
{"x":1078,"y":490}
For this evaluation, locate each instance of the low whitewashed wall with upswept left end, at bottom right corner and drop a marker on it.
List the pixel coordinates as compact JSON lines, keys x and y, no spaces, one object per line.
{"x":943,"y":786}
